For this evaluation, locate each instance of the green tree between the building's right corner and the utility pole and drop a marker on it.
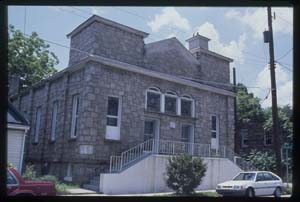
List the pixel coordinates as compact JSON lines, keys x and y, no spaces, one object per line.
{"x":248,"y":106}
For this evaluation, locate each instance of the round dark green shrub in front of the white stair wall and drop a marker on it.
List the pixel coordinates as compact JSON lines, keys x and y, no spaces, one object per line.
{"x":184,"y":173}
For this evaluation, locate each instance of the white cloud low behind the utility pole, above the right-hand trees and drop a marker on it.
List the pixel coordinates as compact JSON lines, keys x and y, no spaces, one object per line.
{"x":283,"y":82}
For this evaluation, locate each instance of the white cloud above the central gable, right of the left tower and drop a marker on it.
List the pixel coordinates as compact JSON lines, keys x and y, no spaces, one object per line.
{"x":169,"y":17}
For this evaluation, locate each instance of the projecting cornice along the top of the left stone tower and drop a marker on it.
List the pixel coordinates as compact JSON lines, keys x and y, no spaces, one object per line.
{"x":96,"y":18}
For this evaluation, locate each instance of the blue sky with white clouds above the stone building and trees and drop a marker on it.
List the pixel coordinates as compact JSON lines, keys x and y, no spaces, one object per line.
{"x":234,"y":32}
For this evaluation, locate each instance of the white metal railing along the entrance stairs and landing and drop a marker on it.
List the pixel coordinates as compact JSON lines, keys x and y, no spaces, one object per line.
{"x":167,"y":147}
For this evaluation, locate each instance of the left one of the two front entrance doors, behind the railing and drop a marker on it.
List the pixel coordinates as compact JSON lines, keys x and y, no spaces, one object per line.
{"x":151,"y":131}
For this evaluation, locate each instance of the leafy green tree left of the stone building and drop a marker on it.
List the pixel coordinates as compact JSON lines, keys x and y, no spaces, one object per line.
{"x":29,"y":57}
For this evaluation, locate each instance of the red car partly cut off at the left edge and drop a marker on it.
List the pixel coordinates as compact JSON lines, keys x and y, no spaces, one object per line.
{"x":17,"y":186}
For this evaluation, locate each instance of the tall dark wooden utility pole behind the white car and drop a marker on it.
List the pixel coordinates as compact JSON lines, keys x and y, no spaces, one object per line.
{"x":268,"y":35}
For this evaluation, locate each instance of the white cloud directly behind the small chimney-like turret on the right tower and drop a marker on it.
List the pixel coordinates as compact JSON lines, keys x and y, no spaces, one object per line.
{"x":233,"y":49}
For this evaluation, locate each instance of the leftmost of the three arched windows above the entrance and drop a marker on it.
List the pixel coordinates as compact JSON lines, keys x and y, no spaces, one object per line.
{"x":154,"y":99}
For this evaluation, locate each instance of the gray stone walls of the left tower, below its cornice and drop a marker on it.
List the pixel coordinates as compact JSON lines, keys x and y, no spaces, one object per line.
{"x":107,"y":41}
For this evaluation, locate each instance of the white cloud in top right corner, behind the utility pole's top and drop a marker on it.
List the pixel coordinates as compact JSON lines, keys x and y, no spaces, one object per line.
{"x":256,"y":20}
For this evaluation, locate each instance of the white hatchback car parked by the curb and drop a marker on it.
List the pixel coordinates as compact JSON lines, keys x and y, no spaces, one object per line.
{"x":252,"y":184}
